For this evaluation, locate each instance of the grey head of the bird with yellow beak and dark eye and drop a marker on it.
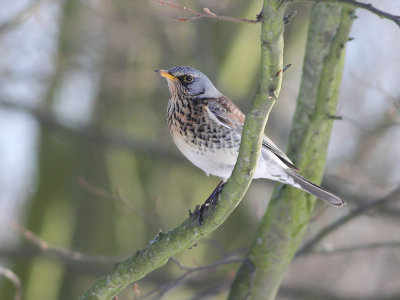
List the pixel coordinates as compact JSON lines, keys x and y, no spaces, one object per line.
{"x":190,"y":82}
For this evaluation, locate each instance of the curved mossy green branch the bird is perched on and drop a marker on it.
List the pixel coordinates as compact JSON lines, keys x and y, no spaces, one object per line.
{"x":168,"y":244}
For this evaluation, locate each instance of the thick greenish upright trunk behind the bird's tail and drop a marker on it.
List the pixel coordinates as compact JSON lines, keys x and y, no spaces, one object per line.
{"x":285,"y":222}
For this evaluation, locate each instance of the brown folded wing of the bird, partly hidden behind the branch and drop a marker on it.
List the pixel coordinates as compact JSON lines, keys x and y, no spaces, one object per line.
{"x":228,"y":114}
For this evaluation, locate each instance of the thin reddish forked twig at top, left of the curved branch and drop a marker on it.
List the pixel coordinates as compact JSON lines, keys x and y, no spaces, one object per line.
{"x":207,"y":13}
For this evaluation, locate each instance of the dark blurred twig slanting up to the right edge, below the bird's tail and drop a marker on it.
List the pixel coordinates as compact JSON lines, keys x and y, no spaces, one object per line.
{"x":394,"y":195}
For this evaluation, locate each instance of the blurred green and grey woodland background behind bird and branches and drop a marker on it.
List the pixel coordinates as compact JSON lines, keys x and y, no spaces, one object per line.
{"x":87,"y":163}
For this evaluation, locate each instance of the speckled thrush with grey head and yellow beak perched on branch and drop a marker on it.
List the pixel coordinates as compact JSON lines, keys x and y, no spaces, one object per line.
{"x":207,"y":126}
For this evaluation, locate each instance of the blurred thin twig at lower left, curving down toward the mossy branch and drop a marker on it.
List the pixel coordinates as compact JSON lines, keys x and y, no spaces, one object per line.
{"x":60,"y":252}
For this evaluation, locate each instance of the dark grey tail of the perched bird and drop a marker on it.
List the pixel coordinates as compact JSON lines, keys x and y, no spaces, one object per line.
{"x":315,"y":190}
